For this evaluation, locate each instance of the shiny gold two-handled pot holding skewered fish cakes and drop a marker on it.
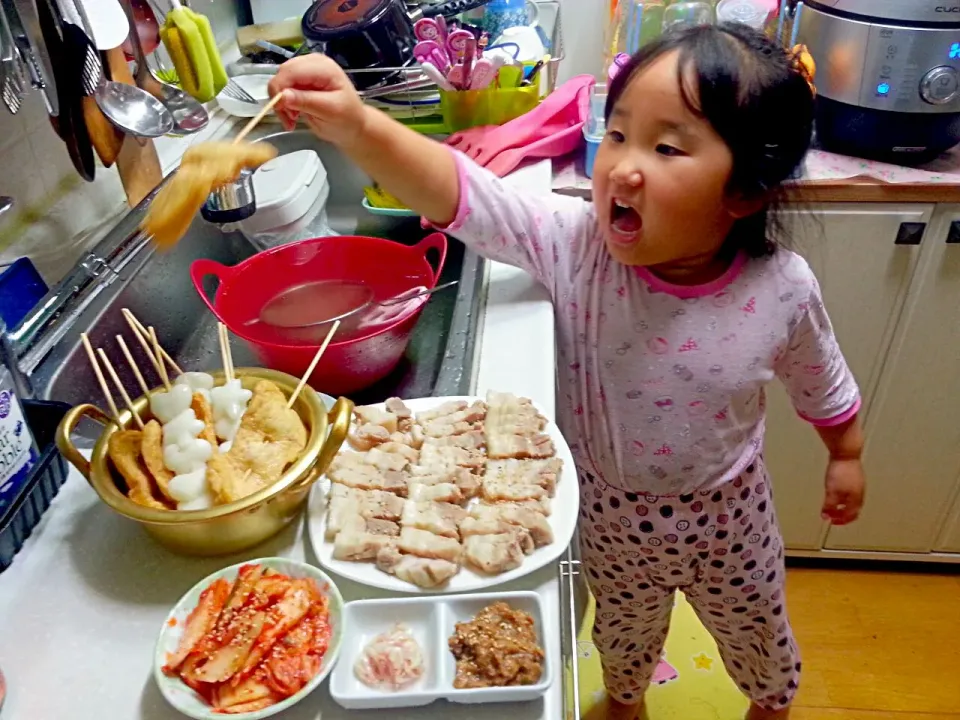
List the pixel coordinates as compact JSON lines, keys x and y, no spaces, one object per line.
{"x":226,"y":528}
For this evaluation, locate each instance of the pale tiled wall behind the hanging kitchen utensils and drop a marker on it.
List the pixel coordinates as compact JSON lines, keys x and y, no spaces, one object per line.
{"x":57,"y":215}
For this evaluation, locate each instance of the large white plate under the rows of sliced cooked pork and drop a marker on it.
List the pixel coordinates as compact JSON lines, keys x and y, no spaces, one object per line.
{"x":563,"y":521}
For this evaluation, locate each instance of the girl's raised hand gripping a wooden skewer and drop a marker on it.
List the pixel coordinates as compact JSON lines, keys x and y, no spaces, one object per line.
{"x":316,"y":89}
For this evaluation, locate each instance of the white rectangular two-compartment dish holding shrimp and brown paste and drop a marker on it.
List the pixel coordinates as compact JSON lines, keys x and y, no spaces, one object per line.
{"x":431,"y":620}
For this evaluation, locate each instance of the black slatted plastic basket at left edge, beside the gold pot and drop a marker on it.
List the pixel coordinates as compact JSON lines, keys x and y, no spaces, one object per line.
{"x":49,"y":472}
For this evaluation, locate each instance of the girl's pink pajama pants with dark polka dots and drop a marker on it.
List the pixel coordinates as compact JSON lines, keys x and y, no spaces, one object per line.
{"x":721,"y":548}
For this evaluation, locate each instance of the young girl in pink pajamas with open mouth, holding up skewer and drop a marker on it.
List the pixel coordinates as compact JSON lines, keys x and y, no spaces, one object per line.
{"x":674,"y":311}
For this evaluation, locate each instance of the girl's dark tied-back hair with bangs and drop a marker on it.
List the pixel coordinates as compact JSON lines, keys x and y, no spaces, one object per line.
{"x":757,"y":99}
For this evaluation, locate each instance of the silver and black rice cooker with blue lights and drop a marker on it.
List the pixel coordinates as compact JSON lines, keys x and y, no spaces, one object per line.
{"x":888,"y":75}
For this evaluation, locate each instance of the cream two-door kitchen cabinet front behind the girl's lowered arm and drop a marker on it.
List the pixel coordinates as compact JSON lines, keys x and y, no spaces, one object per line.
{"x":890,"y":276}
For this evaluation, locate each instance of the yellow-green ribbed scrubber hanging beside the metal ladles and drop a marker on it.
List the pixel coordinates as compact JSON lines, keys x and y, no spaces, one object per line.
{"x":190,"y":42}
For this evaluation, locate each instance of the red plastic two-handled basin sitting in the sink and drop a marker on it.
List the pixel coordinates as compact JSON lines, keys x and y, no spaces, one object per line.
{"x":387,"y":267}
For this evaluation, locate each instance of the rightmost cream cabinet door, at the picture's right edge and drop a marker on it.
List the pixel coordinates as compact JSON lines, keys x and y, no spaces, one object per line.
{"x":912,"y":456}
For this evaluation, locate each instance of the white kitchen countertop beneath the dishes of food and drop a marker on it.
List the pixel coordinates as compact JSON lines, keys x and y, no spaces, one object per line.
{"x":82,"y":604}
